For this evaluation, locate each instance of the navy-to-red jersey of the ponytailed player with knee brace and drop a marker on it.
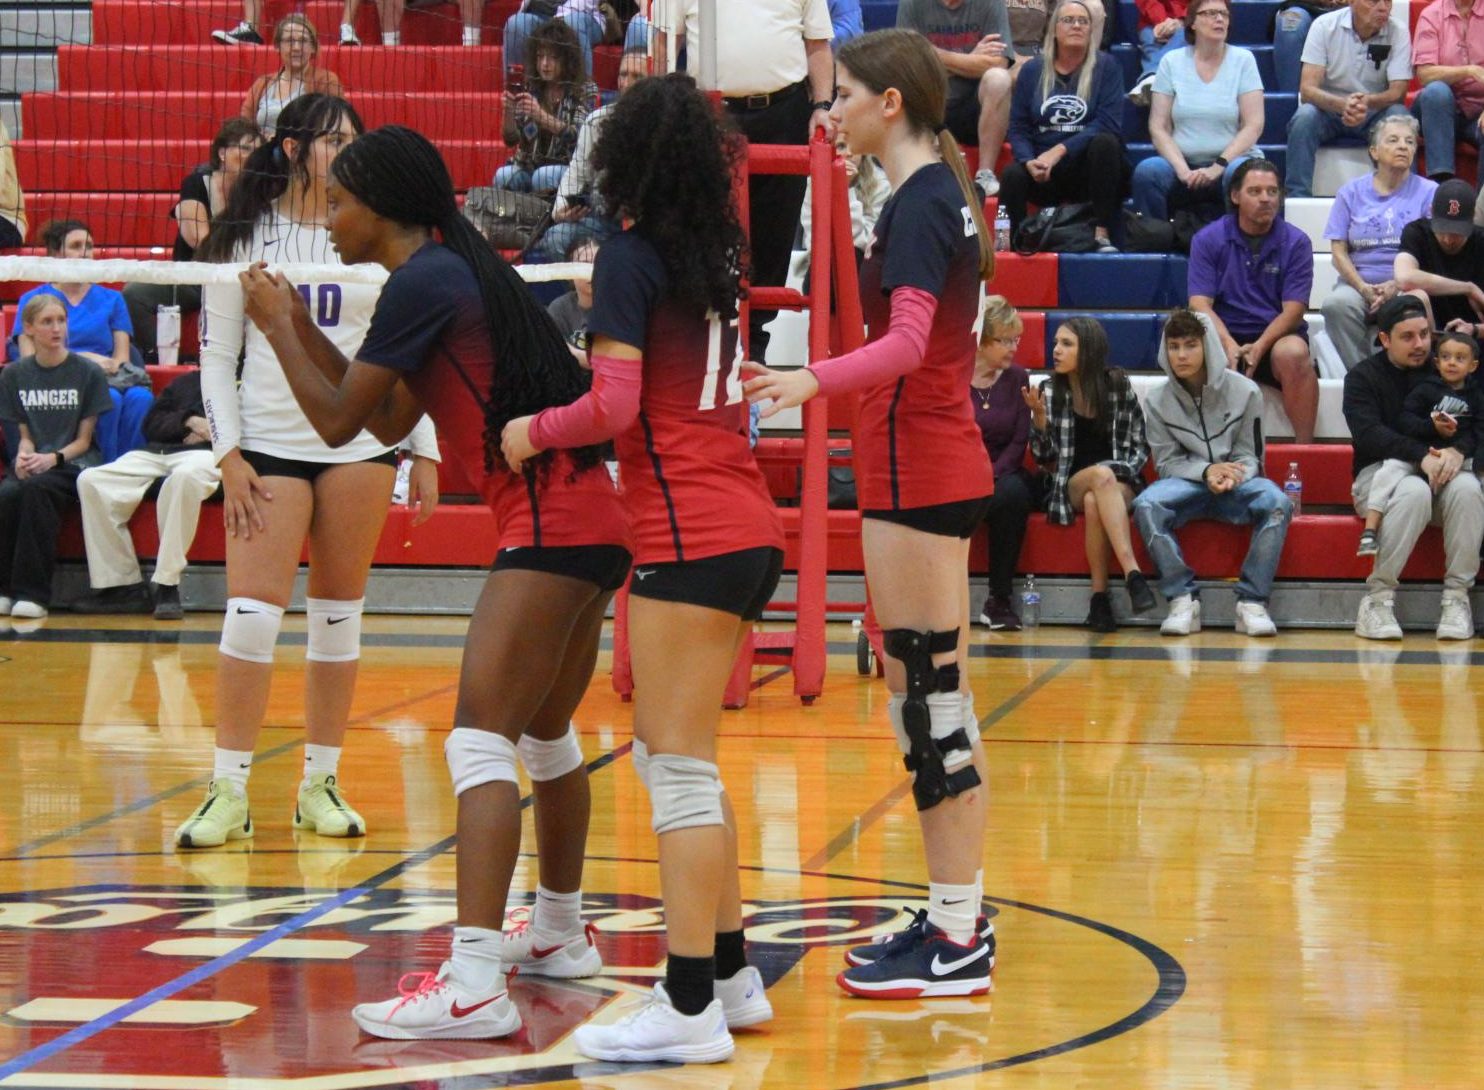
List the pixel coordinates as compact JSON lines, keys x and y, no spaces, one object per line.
{"x":916,"y":441}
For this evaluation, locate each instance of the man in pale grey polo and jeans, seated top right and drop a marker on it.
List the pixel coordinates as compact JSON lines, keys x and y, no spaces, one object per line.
{"x":1356,"y":70}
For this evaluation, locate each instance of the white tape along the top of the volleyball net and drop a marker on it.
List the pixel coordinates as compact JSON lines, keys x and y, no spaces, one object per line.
{"x":73,"y":271}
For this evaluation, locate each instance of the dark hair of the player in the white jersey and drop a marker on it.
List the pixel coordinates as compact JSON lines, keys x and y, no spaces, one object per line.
{"x":269,"y":171}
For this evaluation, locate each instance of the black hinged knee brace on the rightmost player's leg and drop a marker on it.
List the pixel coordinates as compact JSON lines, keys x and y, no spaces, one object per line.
{"x":925,"y":753}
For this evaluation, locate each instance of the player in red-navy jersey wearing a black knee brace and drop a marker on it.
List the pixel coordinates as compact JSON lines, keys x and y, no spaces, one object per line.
{"x":924,"y":480}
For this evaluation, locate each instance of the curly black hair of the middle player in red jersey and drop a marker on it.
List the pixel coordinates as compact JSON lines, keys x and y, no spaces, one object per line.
{"x":669,"y":162}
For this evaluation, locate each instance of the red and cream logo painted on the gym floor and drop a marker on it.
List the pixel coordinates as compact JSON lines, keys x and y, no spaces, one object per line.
{"x":280,"y":1012}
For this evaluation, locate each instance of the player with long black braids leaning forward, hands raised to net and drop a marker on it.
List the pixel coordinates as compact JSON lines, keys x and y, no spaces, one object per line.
{"x":456,"y":333}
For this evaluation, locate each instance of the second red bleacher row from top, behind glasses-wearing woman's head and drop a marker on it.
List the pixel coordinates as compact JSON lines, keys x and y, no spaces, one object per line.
{"x":413,"y":70}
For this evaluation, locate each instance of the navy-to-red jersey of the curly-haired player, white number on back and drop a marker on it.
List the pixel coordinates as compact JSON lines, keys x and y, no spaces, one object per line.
{"x":691,"y":483}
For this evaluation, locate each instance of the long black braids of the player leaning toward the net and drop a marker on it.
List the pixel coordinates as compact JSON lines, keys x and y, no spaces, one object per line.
{"x":400,"y":176}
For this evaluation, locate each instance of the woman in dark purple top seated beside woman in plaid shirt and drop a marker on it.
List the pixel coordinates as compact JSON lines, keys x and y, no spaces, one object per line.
{"x":1004,"y":420}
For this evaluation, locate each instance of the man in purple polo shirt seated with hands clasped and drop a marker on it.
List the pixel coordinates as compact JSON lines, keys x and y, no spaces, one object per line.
{"x":1252,"y":272}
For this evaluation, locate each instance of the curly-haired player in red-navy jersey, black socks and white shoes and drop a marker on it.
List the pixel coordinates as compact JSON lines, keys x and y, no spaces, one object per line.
{"x":709,"y":542}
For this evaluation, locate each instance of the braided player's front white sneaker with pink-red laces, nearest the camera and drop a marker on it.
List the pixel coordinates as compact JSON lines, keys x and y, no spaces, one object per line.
{"x":433,"y":1006}
